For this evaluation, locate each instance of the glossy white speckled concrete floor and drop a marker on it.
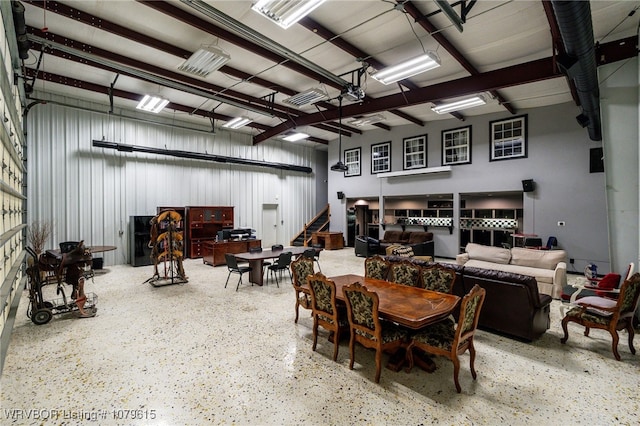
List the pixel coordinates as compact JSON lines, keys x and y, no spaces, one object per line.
{"x":199,"y":354}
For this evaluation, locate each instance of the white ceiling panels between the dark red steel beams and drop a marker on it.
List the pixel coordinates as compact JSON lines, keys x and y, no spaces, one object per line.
{"x":496,"y":35}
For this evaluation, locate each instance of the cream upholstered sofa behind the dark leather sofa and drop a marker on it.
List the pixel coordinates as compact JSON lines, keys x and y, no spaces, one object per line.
{"x":549,"y":267}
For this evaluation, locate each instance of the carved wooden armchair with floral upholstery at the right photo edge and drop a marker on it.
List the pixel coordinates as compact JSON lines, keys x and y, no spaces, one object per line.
{"x":607,"y":314}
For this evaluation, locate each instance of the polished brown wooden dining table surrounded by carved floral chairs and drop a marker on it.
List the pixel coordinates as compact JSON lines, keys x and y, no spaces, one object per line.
{"x":411,"y":307}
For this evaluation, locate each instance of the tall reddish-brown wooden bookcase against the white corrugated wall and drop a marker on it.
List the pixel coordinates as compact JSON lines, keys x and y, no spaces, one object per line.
{"x":203,"y":224}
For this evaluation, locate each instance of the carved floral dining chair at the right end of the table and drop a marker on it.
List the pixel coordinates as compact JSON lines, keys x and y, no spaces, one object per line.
{"x":446,"y":339}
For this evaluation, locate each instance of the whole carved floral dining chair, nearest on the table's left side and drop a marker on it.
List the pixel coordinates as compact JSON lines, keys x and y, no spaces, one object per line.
{"x":366,"y":327}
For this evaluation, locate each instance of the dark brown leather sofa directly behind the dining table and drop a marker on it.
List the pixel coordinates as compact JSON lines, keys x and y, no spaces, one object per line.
{"x":513,"y":306}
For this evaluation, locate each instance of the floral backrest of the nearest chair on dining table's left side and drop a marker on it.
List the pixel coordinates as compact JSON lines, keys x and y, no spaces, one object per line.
{"x":362,"y":311}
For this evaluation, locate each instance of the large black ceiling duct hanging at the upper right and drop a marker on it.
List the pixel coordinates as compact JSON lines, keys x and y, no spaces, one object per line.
{"x":579,"y":64}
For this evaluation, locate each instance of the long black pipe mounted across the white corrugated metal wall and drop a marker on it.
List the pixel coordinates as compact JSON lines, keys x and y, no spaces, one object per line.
{"x":198,"y":156}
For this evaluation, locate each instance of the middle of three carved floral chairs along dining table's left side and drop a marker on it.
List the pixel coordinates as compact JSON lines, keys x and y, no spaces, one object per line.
{"x":325,"y":310}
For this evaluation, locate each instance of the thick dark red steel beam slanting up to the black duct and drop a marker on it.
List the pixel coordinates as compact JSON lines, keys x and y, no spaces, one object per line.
{"x":529,"y":72}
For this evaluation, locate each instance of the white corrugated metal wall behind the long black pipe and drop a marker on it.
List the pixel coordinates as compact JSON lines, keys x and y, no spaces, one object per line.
{"x":89,"y":192}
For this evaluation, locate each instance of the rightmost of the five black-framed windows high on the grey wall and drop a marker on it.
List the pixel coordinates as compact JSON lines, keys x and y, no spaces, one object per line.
{"x":509,"y":138}
